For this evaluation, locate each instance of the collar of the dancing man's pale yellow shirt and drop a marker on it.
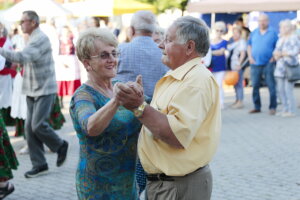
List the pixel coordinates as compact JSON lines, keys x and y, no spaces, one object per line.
{"x":181,"y":71}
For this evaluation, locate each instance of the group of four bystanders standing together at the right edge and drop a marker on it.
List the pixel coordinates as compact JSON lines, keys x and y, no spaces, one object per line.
{"x":267,"y":53}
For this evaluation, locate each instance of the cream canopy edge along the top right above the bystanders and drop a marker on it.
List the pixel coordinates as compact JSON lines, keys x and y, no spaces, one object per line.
{"x":227,"y":6}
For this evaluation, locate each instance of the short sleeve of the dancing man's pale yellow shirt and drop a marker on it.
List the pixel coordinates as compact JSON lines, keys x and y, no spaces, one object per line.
{"x":187,"y":111}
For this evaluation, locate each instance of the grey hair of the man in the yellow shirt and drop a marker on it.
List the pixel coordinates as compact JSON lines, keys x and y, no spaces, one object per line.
{"x":191,"y":28}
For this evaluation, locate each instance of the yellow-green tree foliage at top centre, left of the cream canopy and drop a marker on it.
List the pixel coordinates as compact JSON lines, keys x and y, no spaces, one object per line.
{"x":162,"y":5}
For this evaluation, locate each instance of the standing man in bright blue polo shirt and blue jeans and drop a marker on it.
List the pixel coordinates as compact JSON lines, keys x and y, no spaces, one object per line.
{"x":261,"y":44}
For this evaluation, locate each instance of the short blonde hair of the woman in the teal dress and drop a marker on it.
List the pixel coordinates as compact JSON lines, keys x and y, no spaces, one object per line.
{"x":85,"y":45}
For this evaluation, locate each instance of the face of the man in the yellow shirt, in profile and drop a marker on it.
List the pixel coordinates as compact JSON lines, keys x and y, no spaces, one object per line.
{"x":173,"y":52}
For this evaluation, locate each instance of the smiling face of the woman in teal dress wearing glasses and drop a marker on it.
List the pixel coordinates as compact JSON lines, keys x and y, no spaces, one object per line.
{"x":103,"y":61}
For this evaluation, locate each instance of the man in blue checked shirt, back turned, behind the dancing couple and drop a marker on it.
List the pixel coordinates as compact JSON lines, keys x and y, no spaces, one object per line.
{"x":141,"y":55}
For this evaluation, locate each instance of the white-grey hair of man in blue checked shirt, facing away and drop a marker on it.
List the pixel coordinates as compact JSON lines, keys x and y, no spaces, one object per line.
{"x":143,"y":21}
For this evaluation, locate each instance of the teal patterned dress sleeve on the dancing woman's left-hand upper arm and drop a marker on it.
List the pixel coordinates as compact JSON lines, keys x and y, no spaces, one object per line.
{"x":82,"y":107}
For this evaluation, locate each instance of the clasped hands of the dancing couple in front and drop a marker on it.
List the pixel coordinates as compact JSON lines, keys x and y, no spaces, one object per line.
{"x":130,"y":94}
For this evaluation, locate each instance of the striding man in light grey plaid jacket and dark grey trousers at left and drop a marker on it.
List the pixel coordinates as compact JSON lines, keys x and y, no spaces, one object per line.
{"x":39,"y":86}
